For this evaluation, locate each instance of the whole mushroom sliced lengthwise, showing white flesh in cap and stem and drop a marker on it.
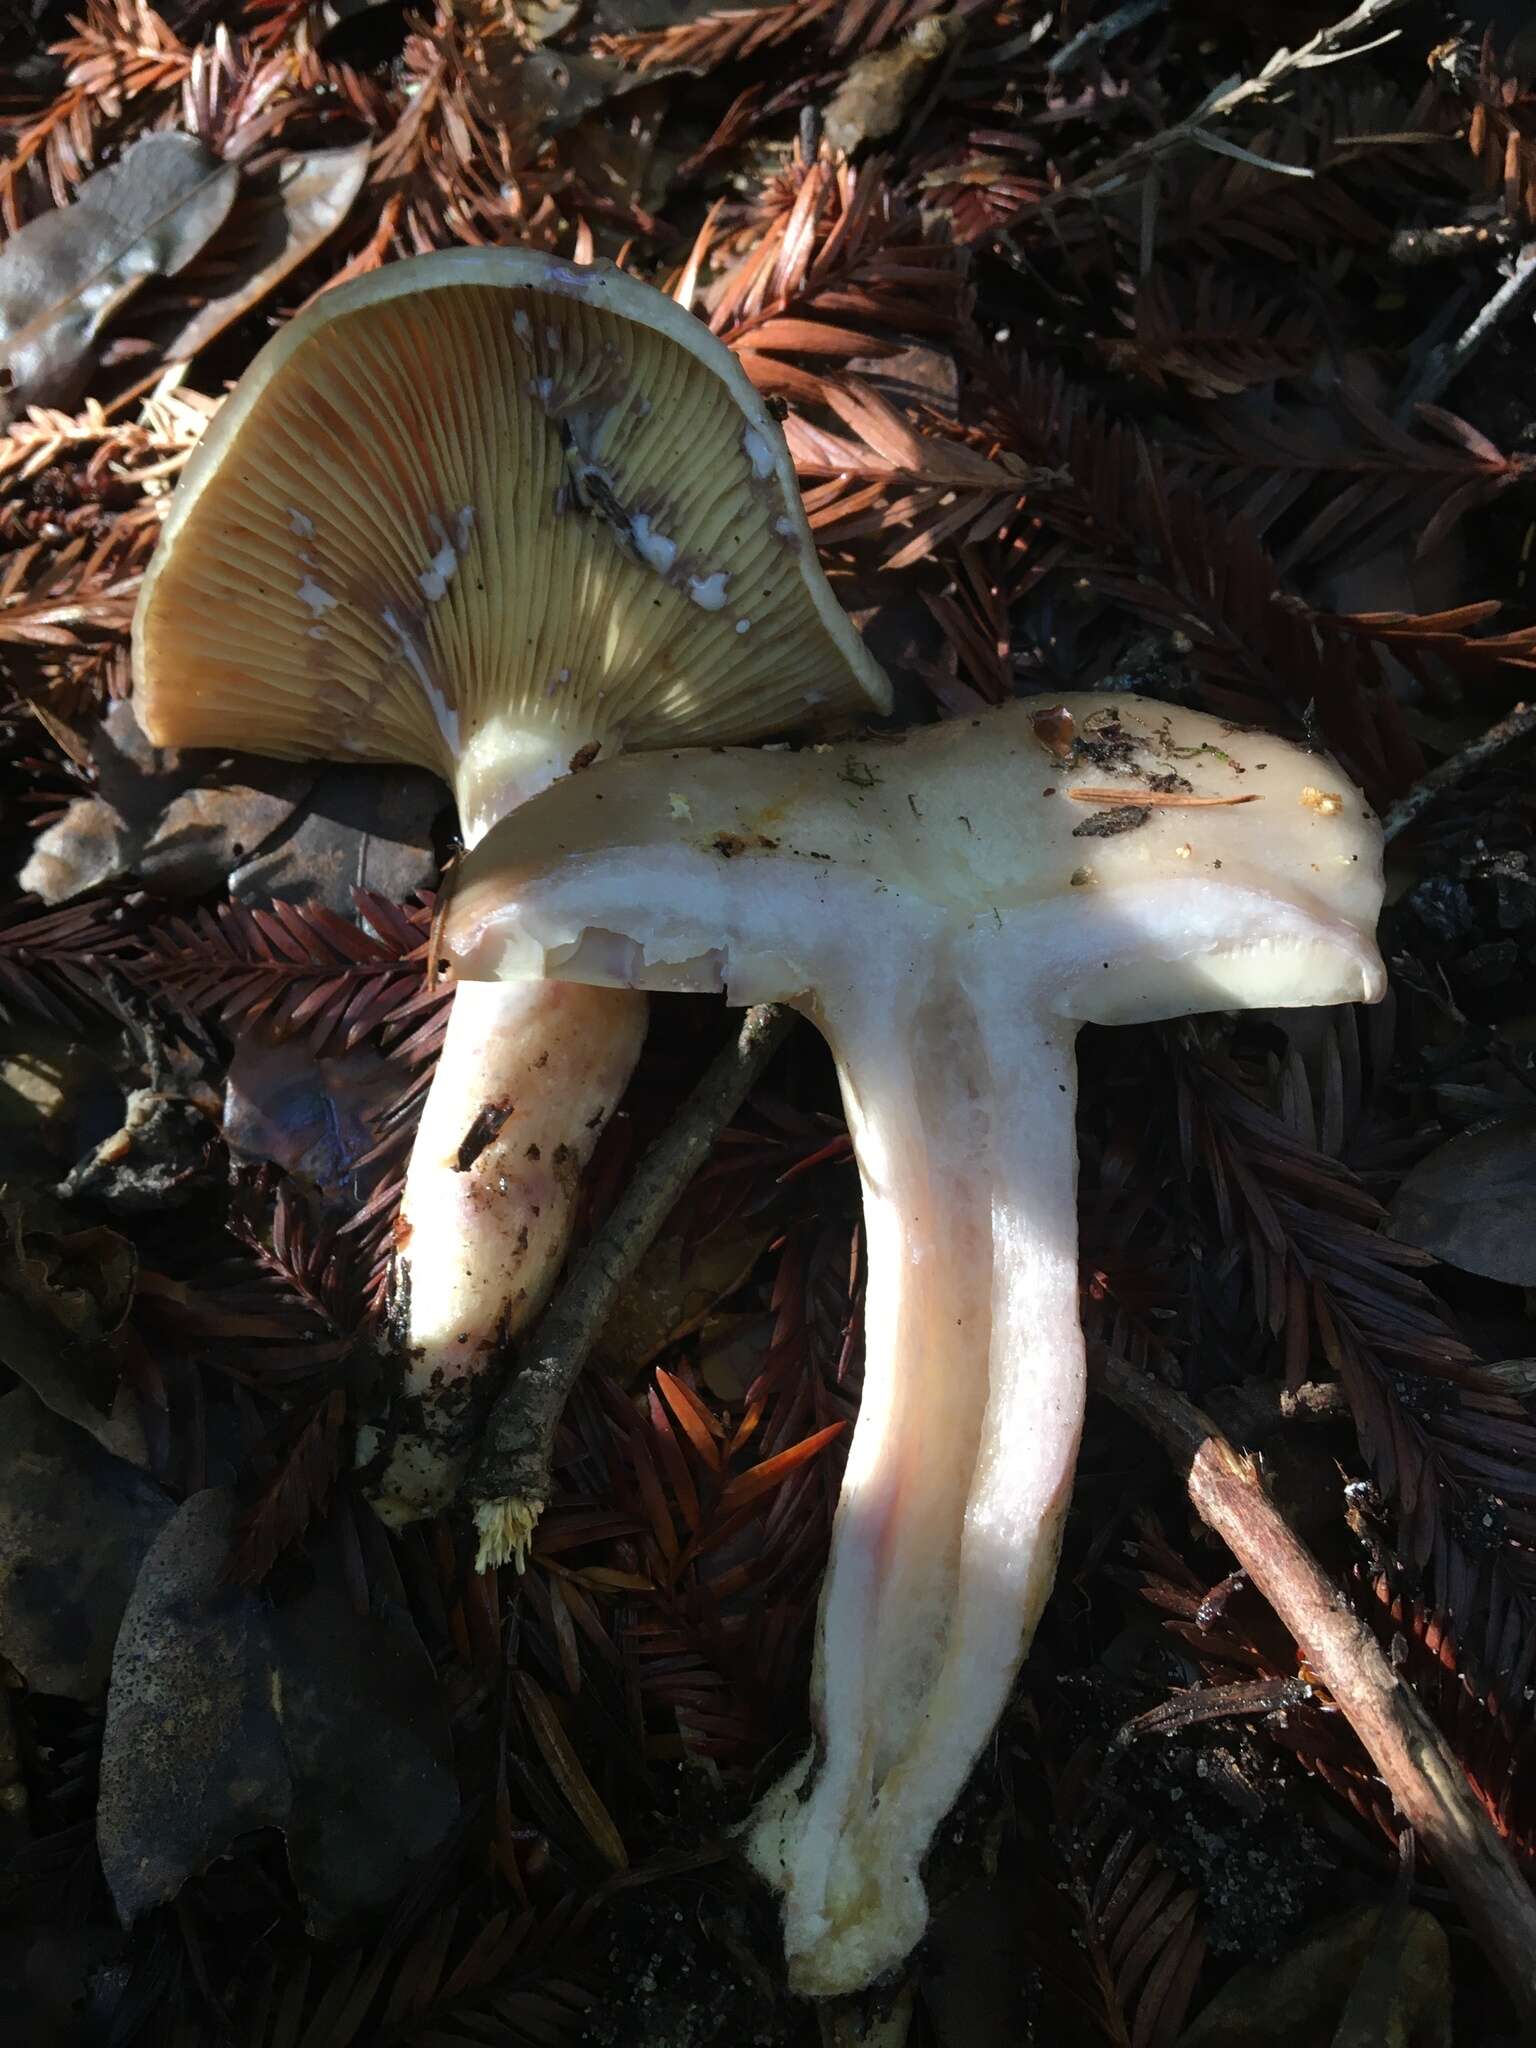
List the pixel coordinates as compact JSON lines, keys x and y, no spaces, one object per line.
{"x":949,"y":910}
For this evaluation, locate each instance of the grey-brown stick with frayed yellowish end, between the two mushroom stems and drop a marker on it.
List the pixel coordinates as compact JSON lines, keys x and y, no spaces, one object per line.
{"x":509,"y":1484}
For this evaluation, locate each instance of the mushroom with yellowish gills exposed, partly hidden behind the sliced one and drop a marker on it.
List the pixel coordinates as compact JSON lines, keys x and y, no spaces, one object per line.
{"x":493,"y":515}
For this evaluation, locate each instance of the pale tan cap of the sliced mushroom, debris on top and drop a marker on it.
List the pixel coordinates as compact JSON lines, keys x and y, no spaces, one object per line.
{"x":1201,"y":865}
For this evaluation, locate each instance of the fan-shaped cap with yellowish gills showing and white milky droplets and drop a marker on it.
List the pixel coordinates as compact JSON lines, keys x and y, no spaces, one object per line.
{"x":476,"y":509}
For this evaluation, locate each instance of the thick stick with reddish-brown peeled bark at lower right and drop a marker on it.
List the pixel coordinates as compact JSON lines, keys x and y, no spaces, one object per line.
{"x":1410,"y":1752}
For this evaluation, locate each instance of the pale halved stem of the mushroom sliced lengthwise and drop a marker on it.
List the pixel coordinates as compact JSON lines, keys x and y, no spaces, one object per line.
{"x":962,"y":1465}
